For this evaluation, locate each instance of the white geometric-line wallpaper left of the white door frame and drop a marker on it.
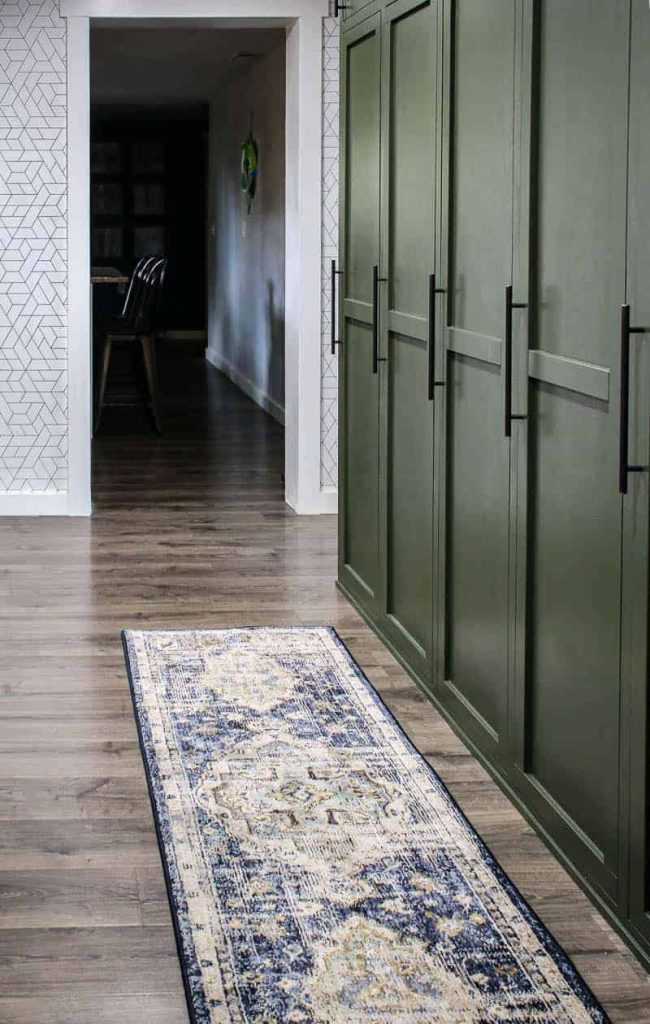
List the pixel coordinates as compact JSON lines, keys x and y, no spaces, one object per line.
{"x":33,"y":248}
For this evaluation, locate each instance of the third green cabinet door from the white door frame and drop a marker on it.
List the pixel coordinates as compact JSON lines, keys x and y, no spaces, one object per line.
{"x":478,"y":258}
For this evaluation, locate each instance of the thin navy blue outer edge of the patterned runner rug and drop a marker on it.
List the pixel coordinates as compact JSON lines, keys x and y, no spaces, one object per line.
{"x":552,"y":947}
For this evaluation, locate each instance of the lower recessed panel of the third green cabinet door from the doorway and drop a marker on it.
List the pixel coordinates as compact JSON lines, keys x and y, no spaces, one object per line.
{"x":478,"y":541}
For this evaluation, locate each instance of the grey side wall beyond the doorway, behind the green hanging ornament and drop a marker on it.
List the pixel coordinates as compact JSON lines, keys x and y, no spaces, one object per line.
{"x":246,"y":261}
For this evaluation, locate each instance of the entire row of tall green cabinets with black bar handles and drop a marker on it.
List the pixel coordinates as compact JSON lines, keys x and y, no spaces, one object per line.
{"x":494,"y":339}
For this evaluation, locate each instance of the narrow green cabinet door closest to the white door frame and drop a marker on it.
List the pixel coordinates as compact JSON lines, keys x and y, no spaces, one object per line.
{"x":360,"y":248}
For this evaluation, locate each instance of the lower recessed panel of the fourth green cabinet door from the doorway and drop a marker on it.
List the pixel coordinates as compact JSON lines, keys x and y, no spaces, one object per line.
{"x":573,"y":730}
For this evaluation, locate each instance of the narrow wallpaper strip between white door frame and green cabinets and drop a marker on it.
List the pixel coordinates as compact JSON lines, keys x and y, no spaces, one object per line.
{"x":329,"y":382}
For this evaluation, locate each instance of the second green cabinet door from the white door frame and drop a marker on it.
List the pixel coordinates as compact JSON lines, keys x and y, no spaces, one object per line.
{"x":410,"y":98}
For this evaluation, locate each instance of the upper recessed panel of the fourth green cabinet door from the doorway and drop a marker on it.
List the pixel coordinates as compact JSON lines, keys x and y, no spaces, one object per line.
{"x":581,"y":186}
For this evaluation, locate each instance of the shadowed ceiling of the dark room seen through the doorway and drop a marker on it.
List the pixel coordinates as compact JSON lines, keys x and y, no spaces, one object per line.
{"x":162,"y":66}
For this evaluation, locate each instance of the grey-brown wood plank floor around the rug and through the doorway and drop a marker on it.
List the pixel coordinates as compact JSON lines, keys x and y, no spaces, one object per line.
{"x":190,"y":530}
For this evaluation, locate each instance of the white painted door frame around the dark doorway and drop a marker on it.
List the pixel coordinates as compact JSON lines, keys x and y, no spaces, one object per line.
{"x":304,"y":20}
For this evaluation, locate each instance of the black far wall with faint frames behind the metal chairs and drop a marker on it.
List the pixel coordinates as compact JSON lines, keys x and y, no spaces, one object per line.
{"x":149,"y":192}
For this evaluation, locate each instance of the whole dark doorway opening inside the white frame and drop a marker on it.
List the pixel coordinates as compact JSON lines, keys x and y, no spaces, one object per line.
{"x":188,"y":184}
